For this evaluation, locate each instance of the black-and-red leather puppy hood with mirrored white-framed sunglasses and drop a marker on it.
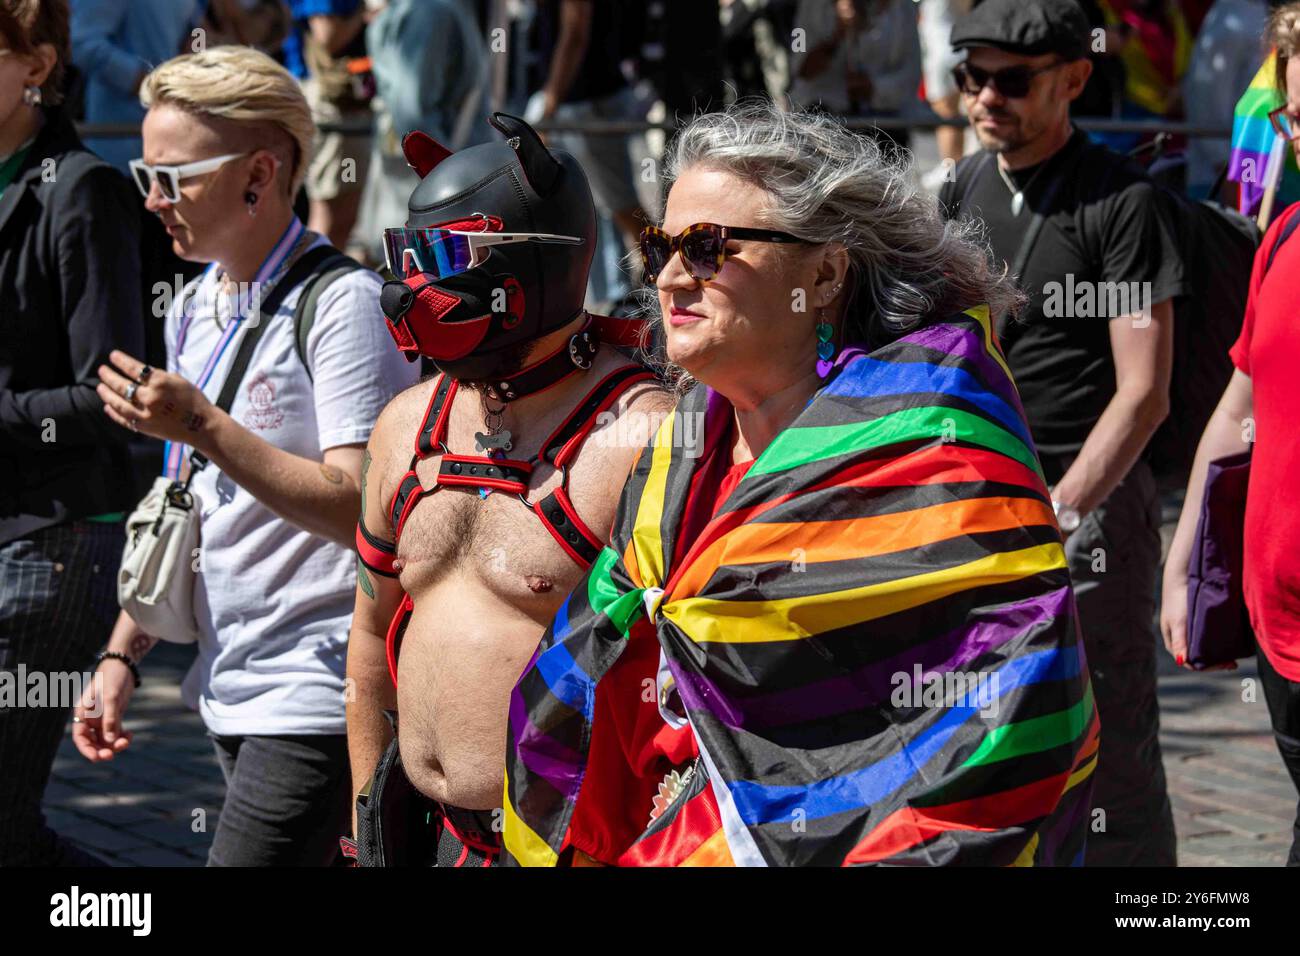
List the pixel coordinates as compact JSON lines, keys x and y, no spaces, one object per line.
{"x":471,"y":306}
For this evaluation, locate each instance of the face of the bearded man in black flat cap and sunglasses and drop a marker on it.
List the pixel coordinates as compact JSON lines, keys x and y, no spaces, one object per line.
{"x":1004,"y":124}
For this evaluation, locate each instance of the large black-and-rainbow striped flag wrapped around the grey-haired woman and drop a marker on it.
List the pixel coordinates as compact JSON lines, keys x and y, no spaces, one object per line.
{"x":896,"y":540}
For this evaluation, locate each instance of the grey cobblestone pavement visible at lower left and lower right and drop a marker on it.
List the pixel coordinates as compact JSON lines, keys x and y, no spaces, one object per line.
{"x":159,"y":802}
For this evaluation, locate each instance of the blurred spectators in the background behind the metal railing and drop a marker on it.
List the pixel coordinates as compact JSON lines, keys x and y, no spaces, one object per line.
{"x":375,"y":70}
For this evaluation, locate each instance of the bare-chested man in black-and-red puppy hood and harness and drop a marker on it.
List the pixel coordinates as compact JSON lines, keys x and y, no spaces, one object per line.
{"x":469,"y":547}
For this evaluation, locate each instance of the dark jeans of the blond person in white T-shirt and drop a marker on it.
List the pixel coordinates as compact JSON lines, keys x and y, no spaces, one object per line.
{"x":288,"y":801}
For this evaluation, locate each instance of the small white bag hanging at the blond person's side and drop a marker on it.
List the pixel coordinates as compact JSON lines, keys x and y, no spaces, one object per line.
{"x":155,"y":585}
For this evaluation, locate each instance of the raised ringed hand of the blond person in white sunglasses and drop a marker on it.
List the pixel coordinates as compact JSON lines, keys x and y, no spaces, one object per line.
{"x":162,"y":405}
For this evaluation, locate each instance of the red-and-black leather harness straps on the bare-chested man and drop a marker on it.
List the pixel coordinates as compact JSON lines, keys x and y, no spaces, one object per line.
{"x":556,"y":511}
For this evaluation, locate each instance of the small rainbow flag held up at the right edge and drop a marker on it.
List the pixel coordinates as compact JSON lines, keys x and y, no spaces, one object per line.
{"x":1253,"y":141}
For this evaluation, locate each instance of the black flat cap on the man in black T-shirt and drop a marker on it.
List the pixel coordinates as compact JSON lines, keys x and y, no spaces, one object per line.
{"x":1030,"y":28}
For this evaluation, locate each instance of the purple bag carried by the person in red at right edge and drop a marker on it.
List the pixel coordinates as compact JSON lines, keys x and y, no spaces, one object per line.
{"x":1219,"y":628}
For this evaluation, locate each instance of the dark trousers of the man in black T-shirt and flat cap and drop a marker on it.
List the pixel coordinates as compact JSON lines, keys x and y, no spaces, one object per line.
{"x":1115,"y":560}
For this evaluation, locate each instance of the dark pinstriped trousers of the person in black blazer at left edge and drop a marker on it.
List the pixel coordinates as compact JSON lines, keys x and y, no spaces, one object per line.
{"x":58,"y":607}
